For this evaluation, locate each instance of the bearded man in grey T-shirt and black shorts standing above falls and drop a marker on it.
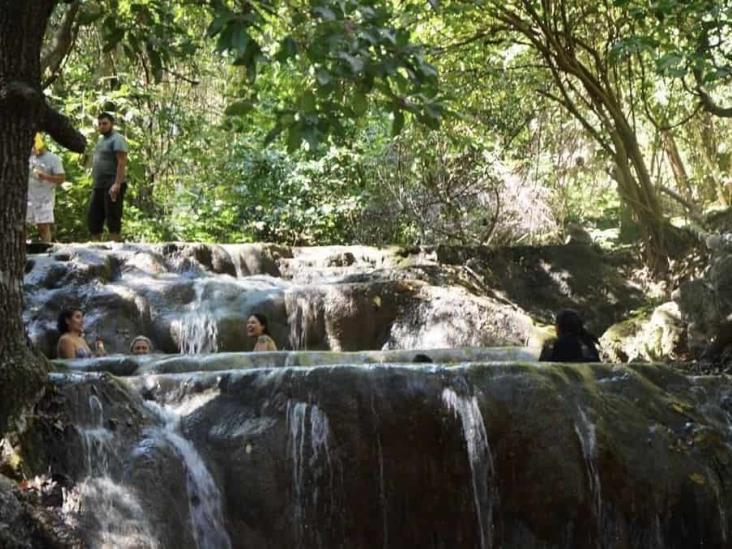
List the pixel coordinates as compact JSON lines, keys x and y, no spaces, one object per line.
{"x":108,"y":175}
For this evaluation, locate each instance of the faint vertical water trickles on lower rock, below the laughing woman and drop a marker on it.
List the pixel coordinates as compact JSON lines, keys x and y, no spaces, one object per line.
{"x":310,"y":463}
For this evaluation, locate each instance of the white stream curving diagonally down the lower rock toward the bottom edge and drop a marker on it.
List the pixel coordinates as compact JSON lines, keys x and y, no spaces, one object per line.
{"x":204,"y":498}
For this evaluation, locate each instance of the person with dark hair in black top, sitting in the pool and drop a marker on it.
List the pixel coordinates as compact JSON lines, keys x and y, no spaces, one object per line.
{"x":573,"y":343}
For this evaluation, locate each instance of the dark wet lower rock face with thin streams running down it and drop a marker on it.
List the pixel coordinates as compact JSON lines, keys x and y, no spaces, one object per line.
{"x":389,"y":455}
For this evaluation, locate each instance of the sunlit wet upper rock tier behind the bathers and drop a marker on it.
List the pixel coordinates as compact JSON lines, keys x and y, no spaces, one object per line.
{"x":197,"y":297}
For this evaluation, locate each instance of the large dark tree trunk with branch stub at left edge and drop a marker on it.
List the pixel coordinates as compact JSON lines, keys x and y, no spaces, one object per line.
{"x":23,"y":110}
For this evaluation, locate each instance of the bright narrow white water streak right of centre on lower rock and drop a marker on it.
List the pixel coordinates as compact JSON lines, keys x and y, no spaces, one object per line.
{"x":485,"y":492}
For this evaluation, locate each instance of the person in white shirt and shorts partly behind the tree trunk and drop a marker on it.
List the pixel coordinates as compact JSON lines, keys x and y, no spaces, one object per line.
{"x":46,"y":171}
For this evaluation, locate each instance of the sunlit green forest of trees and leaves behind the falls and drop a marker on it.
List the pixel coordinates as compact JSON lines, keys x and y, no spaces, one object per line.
{"x":527,"y":118}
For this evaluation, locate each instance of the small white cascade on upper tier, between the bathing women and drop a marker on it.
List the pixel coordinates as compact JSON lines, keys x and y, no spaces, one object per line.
{"x":196,"y":331}
